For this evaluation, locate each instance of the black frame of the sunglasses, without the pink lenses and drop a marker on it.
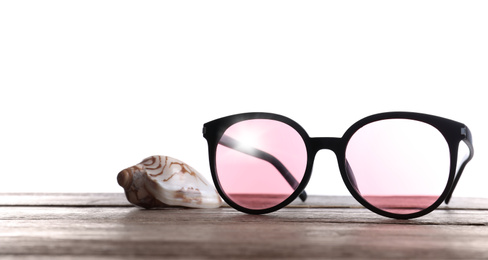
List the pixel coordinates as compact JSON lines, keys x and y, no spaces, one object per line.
{"x":453,"y":132}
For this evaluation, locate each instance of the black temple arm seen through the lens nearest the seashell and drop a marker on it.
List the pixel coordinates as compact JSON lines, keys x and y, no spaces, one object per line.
{"x":232,"y":143}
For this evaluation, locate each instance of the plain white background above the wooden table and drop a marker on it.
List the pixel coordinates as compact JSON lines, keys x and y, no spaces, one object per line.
{"x":88,"y":88}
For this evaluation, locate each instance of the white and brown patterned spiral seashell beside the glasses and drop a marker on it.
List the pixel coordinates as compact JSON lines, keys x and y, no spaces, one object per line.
{"x":162,"y":181}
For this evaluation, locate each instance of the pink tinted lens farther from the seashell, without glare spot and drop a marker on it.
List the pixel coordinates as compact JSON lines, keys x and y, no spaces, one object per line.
{"x":400,"y":166}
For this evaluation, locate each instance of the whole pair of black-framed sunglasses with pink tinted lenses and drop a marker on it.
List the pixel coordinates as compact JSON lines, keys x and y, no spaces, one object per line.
{"x":398,"y":164}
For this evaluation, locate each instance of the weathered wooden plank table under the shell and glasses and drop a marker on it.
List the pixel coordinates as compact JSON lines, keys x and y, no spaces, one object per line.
{"x":87,"y":226}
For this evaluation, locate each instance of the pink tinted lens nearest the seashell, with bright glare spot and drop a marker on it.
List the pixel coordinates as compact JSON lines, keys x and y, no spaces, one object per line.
{"x":260,"y":162}
